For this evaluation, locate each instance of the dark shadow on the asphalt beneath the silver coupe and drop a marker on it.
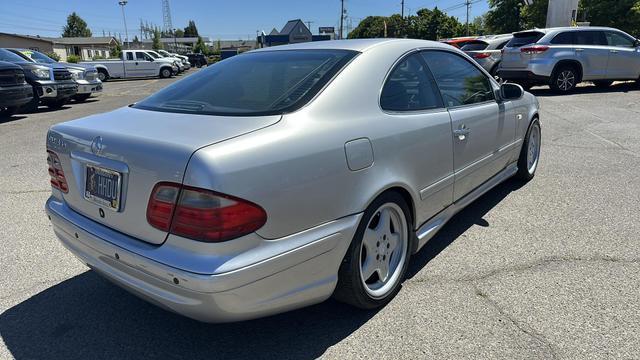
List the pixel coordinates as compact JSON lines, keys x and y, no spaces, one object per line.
{"x":87,"y":317}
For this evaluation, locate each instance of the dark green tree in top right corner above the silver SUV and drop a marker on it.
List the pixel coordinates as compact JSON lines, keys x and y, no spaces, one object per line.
{"x":621,"y":14}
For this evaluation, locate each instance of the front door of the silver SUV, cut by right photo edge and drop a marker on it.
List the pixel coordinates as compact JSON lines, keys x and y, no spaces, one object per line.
{"x":624,"y":56}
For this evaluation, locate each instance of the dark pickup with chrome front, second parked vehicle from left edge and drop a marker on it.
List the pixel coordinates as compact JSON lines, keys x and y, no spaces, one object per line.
{"x":52,"y":84}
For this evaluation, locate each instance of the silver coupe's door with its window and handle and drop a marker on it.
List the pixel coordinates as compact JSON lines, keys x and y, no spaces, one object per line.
{"x":481,"y":130}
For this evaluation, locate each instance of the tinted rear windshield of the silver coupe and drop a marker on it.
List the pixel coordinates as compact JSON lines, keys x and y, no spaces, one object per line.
{"x":256,"y":83}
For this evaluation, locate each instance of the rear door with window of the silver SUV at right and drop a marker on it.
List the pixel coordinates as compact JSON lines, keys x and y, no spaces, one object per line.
{"x":591,"y":50}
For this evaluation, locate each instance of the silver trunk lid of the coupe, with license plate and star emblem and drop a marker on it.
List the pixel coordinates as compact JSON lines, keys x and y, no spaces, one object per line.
{"x":137,"y":149}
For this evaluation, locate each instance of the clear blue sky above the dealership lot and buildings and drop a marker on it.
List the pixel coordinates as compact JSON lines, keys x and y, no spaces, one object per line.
{"x":227,"y":20}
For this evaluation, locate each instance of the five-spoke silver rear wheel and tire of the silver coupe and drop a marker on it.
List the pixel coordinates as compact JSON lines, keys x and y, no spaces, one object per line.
{"x":377,"y":260}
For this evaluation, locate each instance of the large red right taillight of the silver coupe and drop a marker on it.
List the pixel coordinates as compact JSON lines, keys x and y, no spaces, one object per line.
{"x":201,"y":214}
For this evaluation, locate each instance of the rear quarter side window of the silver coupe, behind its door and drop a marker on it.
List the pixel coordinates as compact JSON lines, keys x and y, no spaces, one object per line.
{"x":410,"y":86}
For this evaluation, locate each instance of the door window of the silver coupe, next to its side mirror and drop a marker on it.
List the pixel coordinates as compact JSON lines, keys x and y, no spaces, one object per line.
{"x":460,"y":82}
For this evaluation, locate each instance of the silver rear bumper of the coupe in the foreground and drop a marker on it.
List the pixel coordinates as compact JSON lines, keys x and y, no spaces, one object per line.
{"x":301,"y":274}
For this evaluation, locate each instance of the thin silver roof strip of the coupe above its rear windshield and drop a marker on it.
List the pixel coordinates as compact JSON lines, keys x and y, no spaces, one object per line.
{"x":360,"y":45}
